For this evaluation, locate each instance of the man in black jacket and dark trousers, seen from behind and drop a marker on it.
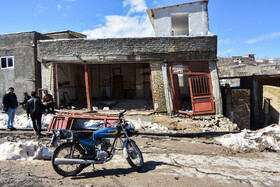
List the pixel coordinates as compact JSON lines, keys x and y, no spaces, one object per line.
{"x":35,"y":109}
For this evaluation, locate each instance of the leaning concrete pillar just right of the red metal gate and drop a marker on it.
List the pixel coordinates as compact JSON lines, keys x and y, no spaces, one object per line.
{"x":216,"y":87}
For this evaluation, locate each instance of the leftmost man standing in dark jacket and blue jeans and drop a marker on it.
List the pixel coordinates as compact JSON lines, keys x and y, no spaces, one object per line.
{"x":10,"y":103}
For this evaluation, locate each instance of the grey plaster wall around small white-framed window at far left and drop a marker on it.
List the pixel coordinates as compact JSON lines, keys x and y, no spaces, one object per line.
{"x":23,"y":75}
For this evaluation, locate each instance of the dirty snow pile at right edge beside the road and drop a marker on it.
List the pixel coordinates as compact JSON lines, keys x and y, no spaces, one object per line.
{"x":266,"y":139}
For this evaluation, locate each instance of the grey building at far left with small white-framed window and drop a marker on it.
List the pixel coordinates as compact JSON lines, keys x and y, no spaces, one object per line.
{"x":19,"y":66}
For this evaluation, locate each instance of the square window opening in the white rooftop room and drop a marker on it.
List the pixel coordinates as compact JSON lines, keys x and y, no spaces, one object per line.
{"x":180,"y":24}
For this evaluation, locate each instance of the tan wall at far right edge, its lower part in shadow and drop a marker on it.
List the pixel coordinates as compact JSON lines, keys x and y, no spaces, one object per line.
{"x":271,"y":95}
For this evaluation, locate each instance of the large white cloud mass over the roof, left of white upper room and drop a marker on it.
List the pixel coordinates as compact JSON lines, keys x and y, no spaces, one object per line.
{"x":117,"y":26}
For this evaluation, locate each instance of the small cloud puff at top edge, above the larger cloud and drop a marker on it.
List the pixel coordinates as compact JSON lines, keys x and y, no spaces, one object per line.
{"x":135,"y":6}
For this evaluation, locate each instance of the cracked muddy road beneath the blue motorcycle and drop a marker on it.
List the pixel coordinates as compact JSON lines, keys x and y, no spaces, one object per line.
{"x":168,"y":162}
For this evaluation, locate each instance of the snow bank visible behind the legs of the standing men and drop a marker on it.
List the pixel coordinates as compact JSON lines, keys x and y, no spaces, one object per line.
{"x":21,"y":121}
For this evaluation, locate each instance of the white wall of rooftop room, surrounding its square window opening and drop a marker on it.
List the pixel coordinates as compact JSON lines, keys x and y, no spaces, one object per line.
{"x":198,"y":18}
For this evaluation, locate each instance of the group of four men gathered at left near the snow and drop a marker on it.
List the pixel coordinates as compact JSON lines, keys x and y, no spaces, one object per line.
{"x":32,"y":104}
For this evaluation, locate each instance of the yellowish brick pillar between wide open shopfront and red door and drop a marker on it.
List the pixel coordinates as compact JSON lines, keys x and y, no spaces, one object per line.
{"x":158,"y":87}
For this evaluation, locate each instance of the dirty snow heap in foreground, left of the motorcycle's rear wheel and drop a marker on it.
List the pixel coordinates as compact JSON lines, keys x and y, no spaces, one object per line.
{"x":29,"y":150}
